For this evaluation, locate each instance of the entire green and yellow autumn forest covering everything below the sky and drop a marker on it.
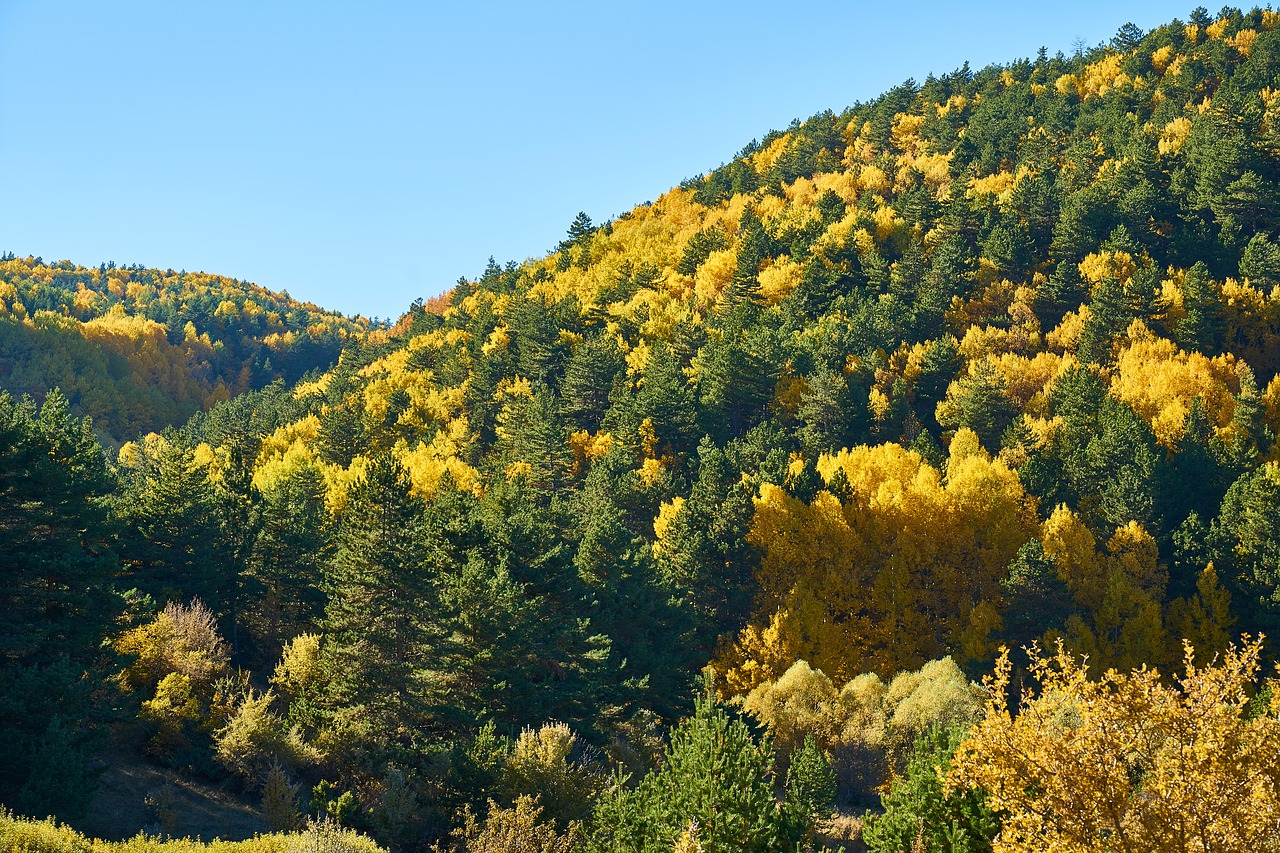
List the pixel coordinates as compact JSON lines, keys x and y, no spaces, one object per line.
{"x":909,"y":482}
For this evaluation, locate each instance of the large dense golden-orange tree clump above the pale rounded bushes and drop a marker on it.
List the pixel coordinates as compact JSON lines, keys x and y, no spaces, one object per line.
{"x":893,"y":564}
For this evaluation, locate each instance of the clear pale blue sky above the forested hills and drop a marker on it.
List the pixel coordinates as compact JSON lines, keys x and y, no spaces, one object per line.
{"x":364,"y":154}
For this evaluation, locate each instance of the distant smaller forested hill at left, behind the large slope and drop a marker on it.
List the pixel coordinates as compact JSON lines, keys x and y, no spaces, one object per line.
{"x":143,"y":349}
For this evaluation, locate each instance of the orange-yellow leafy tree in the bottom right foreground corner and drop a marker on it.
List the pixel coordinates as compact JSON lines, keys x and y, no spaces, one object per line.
{"x":1130,"y":763}
